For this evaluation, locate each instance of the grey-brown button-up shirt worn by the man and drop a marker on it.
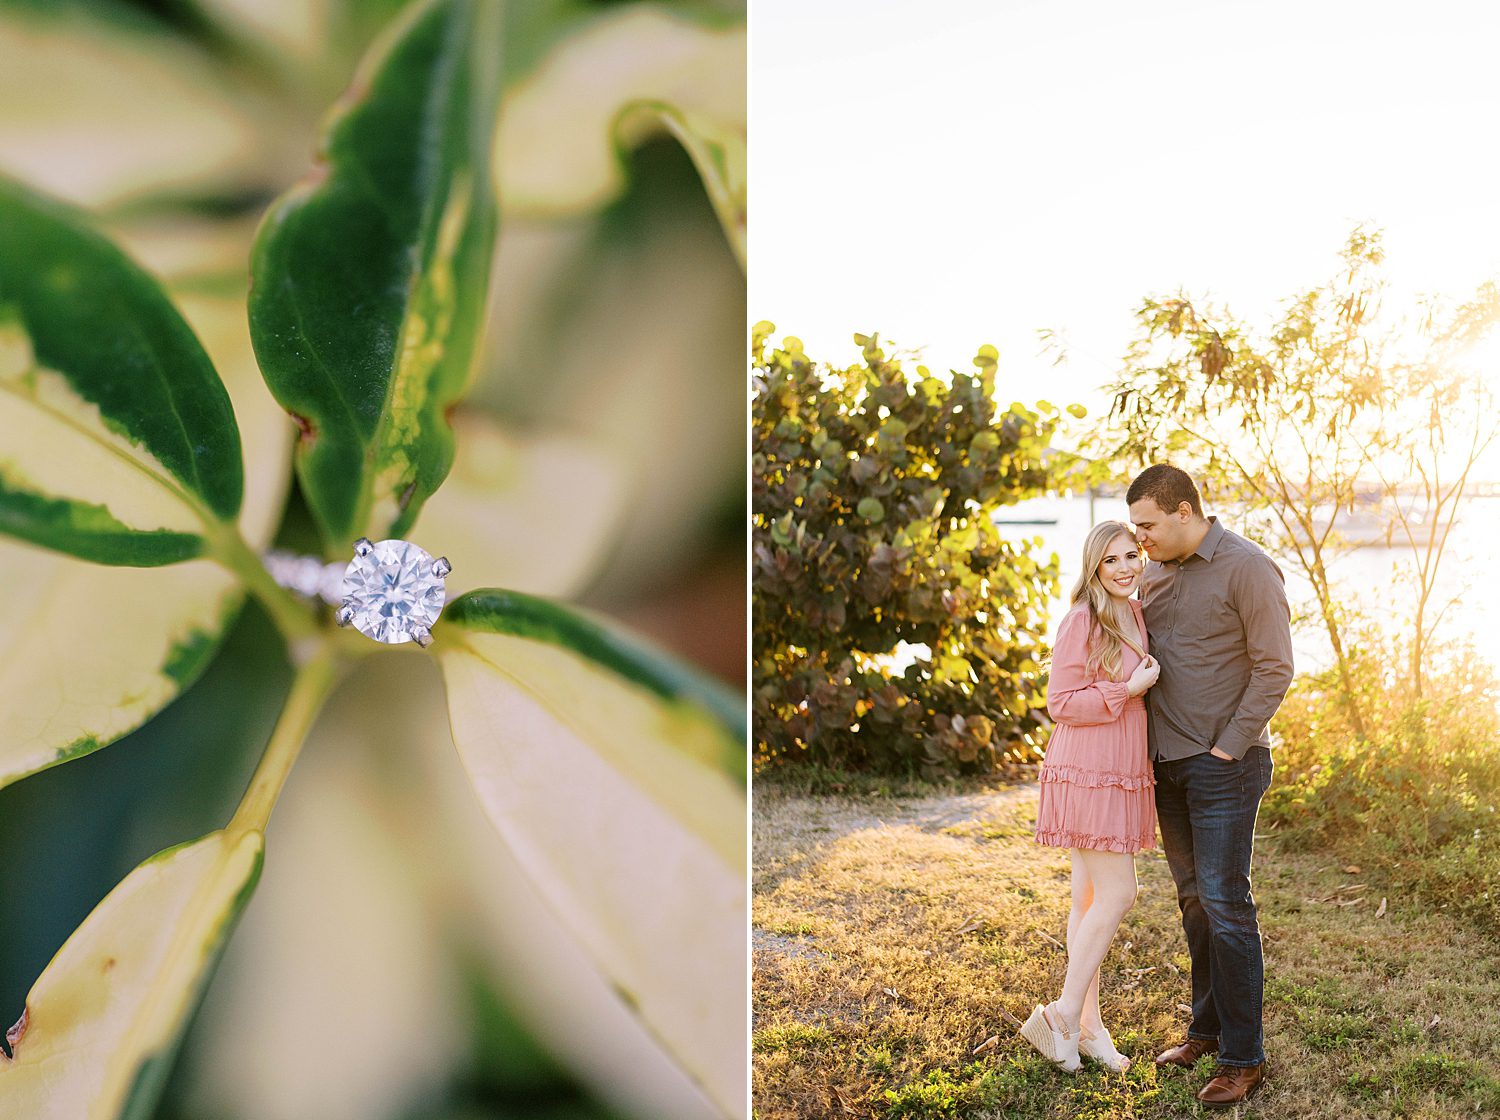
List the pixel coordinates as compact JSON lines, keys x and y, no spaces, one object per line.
{"x":1222,"y":629}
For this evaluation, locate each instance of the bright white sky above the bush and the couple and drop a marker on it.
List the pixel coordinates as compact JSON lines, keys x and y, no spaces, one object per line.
{"x":964,"y":172}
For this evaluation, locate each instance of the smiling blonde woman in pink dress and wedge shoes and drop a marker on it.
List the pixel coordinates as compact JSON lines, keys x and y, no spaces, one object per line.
{"x":1096,"y":783}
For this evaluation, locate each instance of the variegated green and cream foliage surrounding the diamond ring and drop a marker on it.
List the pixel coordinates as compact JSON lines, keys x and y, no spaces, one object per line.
{"x":119,"y":445}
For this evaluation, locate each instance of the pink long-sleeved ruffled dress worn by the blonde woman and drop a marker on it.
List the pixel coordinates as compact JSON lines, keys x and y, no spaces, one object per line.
{"x":1096,"y":779}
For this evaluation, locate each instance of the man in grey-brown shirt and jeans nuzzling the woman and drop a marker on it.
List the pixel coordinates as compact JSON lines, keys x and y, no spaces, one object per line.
{"x":1219,"y":621}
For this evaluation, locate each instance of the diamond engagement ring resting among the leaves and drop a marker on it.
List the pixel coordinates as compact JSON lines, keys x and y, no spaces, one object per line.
{"x":391,"y":591}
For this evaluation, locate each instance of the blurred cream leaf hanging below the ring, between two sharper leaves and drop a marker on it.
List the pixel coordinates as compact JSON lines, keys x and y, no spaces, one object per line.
{"x":338,"y":945}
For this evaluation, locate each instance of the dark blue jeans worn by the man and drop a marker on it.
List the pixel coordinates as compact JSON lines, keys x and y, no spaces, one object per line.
{"x":1207,"y":809}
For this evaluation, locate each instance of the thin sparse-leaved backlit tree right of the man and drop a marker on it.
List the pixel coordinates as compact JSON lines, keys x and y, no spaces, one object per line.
{"x":1334,"y":407}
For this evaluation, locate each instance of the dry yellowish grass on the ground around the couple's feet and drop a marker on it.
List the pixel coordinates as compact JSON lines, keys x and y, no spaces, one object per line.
{"x":895,"y":936}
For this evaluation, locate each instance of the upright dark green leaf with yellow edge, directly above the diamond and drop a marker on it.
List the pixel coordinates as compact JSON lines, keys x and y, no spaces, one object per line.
{"x":370,"y":280}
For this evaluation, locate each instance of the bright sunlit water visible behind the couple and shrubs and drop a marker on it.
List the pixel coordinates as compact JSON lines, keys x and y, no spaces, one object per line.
{"x":1370,"y":578}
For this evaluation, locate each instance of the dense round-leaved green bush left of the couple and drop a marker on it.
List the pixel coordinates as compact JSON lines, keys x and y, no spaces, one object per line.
{"x":874,"y":497}
